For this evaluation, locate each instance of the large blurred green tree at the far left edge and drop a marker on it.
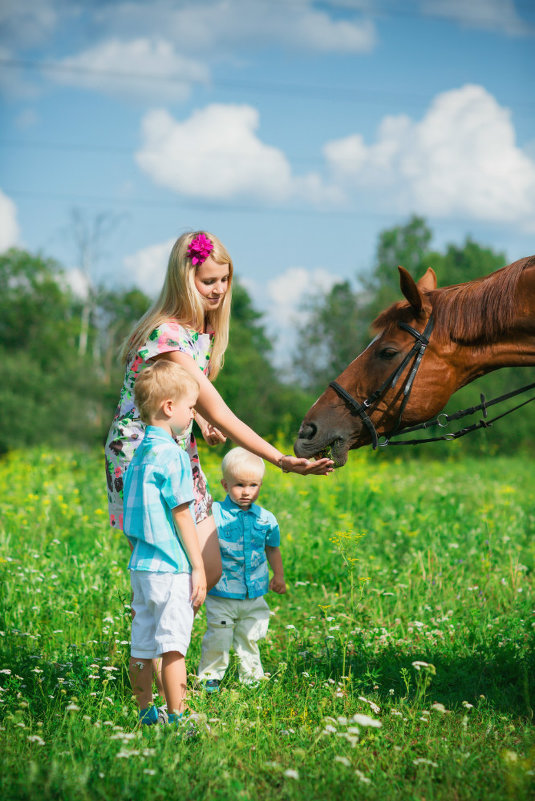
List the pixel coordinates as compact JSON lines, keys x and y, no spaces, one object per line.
{"x":48,"y":394}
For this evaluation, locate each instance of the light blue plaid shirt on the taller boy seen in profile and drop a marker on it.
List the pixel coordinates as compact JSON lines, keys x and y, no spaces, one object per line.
{"x":157,"y":480}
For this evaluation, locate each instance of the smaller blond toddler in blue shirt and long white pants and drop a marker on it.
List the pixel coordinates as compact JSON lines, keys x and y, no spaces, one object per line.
{"x":236,"y":612}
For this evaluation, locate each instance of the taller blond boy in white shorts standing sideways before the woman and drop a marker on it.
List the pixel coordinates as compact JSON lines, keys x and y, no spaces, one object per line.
{"x":166,"y":566}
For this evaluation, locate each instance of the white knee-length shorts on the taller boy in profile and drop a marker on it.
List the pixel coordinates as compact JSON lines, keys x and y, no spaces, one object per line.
{"x":163,"y":613}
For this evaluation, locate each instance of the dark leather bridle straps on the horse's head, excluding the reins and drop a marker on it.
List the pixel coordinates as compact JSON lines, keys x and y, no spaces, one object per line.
{"x":417,"y":351}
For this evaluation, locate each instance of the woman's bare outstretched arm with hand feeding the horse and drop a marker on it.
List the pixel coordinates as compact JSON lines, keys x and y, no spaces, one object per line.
{"x":212,"y":407}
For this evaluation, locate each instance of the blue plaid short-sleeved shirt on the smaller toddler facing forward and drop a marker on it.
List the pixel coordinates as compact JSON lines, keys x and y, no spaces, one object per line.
{"x":243,"y":536}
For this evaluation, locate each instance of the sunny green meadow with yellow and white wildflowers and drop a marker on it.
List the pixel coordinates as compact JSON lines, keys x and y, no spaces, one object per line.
{"x":401,"y":660}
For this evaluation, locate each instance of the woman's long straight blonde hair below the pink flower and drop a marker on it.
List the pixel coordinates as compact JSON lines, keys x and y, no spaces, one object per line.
{"x":179,"y":300}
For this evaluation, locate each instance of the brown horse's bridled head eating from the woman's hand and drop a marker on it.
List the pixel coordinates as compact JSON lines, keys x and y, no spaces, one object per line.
{"x":334,"y":426}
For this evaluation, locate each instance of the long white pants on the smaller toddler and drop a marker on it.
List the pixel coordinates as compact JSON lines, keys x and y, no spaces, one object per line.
{"x":237,"y":623}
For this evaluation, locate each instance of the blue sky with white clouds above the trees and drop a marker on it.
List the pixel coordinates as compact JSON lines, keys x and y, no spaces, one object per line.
{"x":295,"y":130}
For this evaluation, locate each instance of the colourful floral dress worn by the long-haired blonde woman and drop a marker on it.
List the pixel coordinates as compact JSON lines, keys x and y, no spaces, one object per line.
{"x":127,"y":430}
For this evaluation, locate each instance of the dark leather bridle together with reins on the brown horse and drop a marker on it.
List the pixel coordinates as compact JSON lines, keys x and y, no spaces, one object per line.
{"x":421,"y":341}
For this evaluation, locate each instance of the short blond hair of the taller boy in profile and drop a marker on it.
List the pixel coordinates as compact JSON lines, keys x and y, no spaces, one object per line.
{"x":158,"y":382}
